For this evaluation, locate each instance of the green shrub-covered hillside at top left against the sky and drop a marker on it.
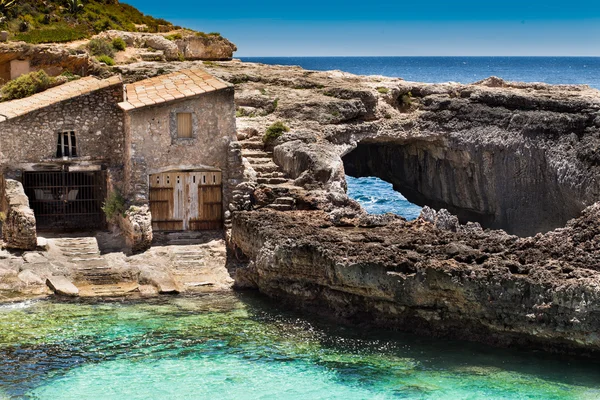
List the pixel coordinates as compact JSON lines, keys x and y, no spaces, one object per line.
{"x":45,"y":21}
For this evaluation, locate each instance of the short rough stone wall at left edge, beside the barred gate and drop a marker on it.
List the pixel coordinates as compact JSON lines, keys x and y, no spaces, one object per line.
{"x":18,"y":229}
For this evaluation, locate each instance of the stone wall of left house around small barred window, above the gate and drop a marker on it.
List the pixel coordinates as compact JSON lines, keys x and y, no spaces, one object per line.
{"x":95,"y":118}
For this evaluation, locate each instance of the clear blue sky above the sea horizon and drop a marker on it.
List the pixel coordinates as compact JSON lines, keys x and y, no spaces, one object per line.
{"x":393,"y":28}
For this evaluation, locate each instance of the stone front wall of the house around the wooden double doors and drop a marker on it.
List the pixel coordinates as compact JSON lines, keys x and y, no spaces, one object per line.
{"x":152,"y":146}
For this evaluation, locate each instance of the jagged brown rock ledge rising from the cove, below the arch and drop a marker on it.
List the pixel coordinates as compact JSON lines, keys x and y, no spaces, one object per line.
{"x":488,"y":286}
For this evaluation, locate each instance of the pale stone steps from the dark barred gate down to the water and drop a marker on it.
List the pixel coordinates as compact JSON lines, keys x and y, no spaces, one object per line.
{"x":93,"y":276}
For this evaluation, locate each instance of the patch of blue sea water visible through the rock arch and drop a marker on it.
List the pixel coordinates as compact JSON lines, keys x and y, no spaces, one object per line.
{"x":377,"y":196}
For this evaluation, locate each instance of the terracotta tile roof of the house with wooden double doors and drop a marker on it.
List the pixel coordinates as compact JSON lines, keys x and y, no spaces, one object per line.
{"x":174,"y":86}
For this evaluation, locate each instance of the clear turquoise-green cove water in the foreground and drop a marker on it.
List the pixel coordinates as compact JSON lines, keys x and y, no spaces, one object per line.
{"x":230,"y":346}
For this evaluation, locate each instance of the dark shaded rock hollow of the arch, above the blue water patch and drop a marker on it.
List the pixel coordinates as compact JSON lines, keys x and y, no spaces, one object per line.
{"x":495,"y":187}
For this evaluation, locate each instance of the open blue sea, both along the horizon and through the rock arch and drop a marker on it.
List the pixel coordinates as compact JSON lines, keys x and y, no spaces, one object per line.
{"x":377,"y":196}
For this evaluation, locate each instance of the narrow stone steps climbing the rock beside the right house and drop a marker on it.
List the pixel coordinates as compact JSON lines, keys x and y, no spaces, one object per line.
{"x":267,"y":172}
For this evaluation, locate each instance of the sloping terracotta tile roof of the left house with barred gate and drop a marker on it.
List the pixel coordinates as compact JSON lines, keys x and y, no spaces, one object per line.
{"x":66,"y":91}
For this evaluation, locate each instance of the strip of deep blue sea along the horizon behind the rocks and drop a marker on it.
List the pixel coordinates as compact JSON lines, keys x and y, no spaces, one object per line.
{"x":555,"y":70}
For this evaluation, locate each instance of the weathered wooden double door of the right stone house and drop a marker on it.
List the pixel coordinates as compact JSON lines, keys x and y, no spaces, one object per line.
{"x":186,"y":200}
